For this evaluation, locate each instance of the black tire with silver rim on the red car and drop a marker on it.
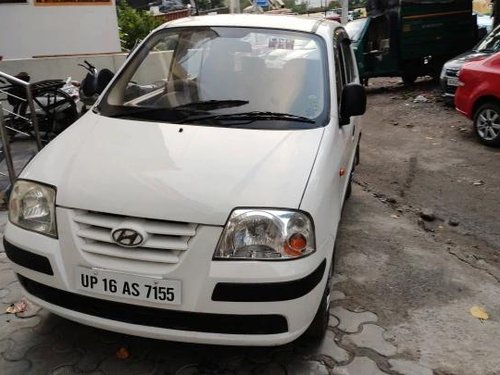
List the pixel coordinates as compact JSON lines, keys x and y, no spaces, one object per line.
{"x":487,"y":123}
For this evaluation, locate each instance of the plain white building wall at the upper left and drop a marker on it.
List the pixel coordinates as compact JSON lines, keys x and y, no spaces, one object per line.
{"x":27,"y":30}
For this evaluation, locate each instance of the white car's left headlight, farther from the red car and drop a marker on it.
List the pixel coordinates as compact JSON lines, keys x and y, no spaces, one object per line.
{"x":32,"y":207}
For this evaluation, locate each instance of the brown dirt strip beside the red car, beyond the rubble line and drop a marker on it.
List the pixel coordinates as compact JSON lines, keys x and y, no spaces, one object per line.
{"x":426,"y":155}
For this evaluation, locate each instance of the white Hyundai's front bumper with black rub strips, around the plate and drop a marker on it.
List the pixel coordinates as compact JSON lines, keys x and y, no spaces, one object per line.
{"x":229,"y":303}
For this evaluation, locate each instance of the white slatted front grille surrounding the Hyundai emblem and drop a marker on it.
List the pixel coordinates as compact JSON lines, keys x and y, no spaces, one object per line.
{"x":165,"y":240}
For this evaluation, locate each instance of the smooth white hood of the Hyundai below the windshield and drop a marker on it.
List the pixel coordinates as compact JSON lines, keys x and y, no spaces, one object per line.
{"x":175,"y":172}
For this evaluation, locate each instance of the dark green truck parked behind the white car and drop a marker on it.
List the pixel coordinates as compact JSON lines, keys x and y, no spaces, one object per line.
{"x":411,"y":38}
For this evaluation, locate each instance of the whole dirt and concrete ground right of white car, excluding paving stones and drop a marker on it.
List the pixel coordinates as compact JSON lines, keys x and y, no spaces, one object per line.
{"x":422,"y":277}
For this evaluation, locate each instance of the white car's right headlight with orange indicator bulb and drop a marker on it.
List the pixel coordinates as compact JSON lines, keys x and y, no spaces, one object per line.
{"x":266,"y":235}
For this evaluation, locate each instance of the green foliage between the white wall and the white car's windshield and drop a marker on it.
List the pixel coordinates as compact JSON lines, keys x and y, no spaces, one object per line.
{"x":134,"y":25}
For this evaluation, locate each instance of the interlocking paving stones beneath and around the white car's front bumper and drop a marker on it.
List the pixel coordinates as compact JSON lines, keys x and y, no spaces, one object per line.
{"x":38,"y":342}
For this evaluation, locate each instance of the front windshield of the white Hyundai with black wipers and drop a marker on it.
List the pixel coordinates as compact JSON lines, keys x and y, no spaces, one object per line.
{"x":227,"y":74}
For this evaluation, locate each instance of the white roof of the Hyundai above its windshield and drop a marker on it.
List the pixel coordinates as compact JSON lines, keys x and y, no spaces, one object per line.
{"x":273,"y":21}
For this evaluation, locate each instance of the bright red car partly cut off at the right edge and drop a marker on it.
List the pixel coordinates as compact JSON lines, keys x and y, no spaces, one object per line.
{"x":478,"y":97}
